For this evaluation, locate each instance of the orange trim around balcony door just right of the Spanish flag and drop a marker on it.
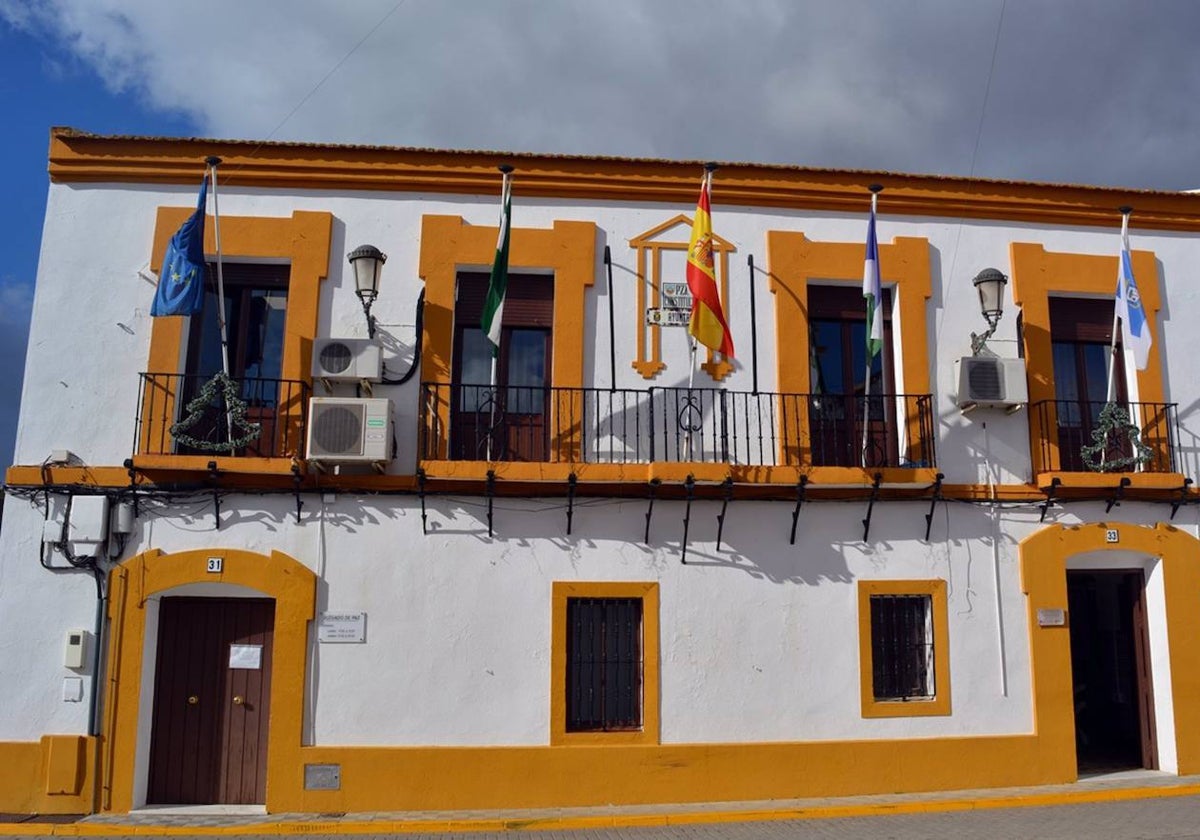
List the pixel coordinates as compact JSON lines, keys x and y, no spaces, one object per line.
{"x":796,"y":261}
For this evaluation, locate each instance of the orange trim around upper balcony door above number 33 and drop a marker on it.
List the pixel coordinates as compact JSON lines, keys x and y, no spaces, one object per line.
{"x":1037,"y":277}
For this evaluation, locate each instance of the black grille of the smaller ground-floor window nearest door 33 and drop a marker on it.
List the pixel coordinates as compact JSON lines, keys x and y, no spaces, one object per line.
{"x":903,"y":647}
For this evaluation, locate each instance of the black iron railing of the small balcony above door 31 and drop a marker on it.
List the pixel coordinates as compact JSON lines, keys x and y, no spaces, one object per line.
{"x":279,"y":409}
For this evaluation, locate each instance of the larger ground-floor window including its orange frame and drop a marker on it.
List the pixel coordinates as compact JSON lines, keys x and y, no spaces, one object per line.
{"x":605,"y":664}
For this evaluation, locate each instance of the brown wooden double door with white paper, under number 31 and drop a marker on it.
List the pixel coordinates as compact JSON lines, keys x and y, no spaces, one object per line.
{"x":208,"y":741}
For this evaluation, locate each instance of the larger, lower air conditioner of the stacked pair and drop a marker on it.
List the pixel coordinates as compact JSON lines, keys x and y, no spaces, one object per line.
{"x":350,"y":430}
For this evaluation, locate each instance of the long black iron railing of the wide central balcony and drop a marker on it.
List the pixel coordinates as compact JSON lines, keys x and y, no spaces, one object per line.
{"x":709,"y":425}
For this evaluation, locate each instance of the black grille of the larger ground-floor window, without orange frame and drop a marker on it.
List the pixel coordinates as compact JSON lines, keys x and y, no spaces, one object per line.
{"x":604,"y":664}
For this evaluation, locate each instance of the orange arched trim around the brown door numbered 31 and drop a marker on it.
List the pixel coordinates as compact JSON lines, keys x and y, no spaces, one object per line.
{"x":292,"y":585}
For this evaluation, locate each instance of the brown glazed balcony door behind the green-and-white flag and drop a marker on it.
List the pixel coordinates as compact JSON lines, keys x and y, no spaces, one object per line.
{"x":509,"y":423}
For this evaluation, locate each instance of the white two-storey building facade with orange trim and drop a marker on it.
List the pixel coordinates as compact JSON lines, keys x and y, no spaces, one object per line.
{"x":363,"y":578}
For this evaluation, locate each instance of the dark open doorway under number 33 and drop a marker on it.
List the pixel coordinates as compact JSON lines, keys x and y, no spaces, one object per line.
{"x":1111,"y":671}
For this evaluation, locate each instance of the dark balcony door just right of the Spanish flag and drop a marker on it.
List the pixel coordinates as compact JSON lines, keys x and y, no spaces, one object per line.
{"x":838,"y":379}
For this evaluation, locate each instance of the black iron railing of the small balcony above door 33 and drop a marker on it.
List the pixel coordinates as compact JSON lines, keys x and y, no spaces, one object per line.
{"x":1065,"y":428}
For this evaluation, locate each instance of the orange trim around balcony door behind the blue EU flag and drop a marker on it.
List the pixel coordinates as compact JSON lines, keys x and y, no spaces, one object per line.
{"x":303,"y":241}
